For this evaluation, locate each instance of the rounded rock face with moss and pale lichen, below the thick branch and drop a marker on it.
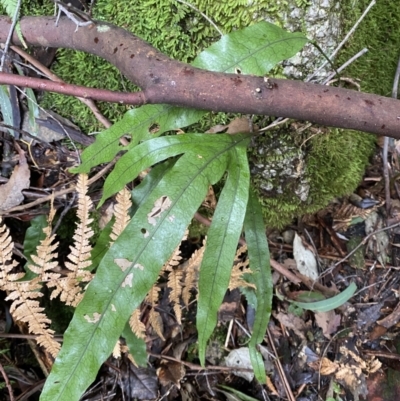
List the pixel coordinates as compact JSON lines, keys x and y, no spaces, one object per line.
{"x":307,"y":179}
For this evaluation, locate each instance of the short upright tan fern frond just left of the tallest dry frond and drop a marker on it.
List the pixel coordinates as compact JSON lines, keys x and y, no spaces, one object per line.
{"x":44,"y":260}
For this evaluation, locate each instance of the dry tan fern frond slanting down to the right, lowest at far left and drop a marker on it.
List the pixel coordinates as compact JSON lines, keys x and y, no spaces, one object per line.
{"x":25,"y":308}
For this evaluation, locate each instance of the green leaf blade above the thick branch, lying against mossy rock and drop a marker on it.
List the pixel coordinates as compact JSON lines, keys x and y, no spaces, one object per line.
{"x":252,"y":50}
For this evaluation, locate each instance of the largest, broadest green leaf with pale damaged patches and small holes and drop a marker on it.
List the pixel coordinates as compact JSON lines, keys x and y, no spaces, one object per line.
{"x":144,"y":246}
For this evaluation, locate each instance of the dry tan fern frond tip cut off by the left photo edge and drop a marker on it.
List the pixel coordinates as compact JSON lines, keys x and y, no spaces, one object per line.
{"x":6,"y":261}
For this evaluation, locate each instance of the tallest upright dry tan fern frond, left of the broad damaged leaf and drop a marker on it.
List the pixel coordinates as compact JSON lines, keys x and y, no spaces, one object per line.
{"x":69,"y":287}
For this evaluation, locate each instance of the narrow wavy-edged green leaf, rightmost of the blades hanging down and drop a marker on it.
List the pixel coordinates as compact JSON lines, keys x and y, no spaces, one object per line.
{"x":258,"y":252}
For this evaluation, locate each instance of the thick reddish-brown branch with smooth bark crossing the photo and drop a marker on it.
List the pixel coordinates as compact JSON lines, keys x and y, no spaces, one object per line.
{"x":164,"y":80}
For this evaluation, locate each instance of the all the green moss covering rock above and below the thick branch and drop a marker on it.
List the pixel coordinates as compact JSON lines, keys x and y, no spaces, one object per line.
{"x":335,"y":160}
